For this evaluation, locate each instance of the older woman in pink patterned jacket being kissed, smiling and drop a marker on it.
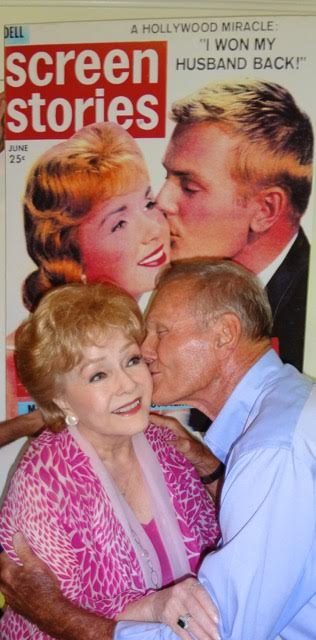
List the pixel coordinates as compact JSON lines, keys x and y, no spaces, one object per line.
{"x":101,"y":497}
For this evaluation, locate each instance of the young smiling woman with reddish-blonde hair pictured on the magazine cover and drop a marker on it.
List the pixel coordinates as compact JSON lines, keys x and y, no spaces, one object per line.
{"x":89,"y":216}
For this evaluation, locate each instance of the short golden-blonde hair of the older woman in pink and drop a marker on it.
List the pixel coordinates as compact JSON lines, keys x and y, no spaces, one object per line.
{"x":68,"y":318}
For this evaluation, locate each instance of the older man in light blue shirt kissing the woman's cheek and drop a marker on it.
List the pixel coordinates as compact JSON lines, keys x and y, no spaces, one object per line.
{"x":208,"y":344}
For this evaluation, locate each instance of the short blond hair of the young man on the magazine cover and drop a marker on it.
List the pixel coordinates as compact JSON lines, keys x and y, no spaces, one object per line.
{"x":274,"y":138}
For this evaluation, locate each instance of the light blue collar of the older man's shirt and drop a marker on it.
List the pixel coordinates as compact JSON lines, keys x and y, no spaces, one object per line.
{"x":231,"y":420}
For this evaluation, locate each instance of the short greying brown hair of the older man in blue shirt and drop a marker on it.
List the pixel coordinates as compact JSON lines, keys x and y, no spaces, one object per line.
{"x":223,"y":286}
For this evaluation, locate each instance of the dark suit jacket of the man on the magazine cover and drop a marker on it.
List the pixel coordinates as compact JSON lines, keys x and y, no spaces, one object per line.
{"x":287,"y":292}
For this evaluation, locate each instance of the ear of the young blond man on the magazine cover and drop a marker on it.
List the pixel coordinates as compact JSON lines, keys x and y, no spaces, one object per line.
{"x":269,"y":205}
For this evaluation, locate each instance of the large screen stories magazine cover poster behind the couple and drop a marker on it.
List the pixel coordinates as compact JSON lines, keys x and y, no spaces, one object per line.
{"x":132,"y":143}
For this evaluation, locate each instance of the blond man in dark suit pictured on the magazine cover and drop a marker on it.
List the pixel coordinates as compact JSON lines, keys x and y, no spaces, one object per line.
{"x":239,"y":174}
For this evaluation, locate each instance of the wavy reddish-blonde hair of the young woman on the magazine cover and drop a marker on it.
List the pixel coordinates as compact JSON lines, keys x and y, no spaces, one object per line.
{"x":99,"y":161}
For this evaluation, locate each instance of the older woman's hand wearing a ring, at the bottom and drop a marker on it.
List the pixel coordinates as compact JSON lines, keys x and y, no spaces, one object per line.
{"x":187,"y":601}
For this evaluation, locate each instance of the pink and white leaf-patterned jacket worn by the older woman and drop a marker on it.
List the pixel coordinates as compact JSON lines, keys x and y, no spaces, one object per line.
{"x":60,"y":505}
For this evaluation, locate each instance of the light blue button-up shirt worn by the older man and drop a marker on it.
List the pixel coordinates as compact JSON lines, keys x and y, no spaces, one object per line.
{"x":262,"y":578}
